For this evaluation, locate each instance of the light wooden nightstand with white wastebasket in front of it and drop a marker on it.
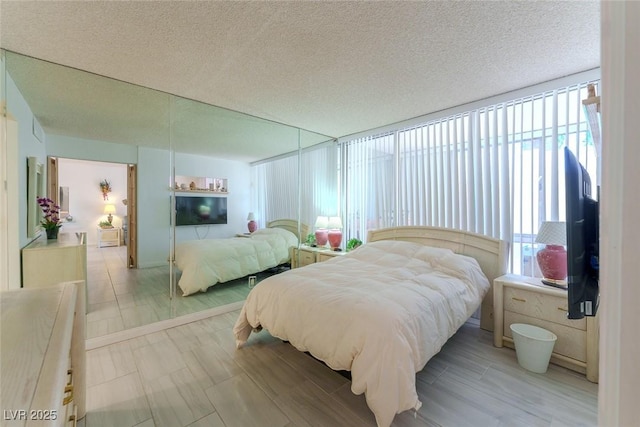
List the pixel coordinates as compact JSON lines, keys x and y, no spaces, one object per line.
{"x":520,"y":299}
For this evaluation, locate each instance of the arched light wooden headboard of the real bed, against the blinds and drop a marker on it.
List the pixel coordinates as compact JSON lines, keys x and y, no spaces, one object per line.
{"x":491,"y":254}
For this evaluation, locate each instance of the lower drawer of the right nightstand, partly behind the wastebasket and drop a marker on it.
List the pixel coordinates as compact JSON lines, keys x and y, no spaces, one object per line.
{"x":569,"y":343}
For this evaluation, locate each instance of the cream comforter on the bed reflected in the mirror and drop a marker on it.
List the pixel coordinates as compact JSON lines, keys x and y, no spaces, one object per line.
{"x":204,"y":263}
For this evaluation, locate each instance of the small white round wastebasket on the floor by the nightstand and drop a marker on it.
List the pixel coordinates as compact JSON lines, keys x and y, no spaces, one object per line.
{"x":534,"y":346}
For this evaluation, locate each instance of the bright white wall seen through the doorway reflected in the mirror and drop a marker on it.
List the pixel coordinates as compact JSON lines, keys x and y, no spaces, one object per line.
{"x":86,"y":204}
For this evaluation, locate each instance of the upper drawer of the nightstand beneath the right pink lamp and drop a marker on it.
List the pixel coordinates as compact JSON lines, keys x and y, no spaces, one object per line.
{"x":541,"y":306}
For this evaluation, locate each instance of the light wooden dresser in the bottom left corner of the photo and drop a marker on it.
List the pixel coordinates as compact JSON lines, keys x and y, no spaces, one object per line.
{"x":43,"y":355}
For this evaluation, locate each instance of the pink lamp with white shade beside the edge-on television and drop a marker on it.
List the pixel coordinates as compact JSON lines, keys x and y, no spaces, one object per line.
{"x":552,"y":259}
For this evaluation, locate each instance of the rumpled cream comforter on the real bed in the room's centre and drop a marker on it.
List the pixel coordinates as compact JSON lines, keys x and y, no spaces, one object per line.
{"x":381,"y":312}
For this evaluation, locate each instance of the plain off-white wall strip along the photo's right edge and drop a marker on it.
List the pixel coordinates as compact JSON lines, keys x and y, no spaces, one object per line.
{"x":619,"y":232}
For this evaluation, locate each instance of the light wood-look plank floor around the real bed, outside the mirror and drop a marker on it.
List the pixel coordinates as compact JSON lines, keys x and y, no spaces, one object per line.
{"x":192,"y":375}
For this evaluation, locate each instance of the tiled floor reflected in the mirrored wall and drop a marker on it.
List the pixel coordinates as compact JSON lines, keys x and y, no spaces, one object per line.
{"x":120,"y":298}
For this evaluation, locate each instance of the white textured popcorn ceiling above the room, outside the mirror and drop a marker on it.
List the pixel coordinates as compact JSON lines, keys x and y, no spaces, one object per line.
{"x":335,"y":68}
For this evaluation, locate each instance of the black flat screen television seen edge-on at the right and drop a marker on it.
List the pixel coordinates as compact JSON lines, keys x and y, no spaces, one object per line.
{"x":582,"y":240}
